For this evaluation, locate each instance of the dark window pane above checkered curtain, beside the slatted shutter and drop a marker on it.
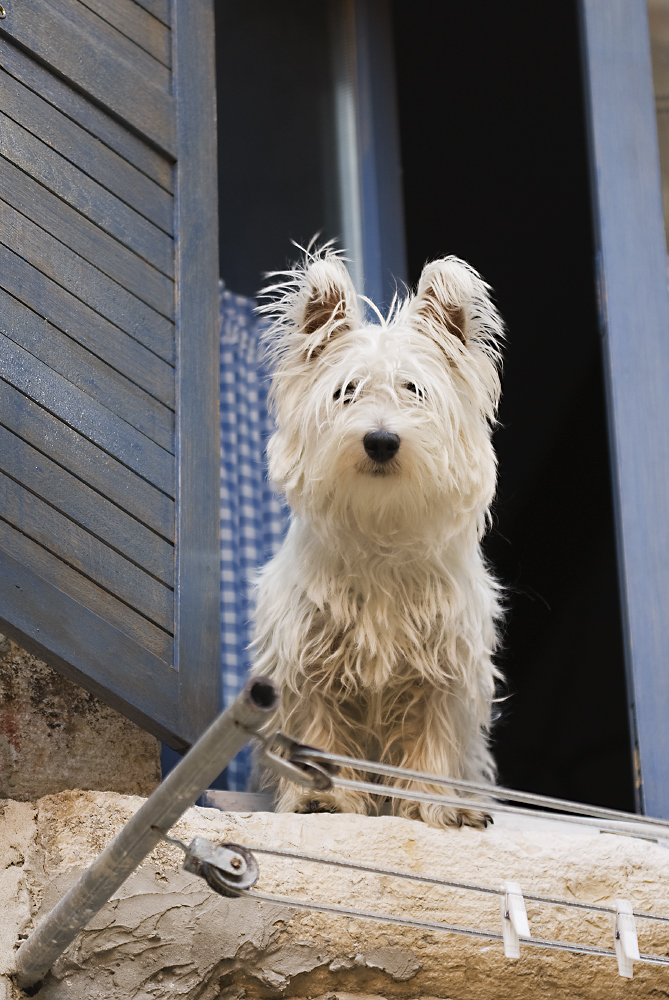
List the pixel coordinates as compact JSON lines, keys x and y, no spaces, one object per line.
{"x":277,"y":159}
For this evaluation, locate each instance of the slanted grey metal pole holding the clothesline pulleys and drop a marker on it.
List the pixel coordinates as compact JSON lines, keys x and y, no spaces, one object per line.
{"x":181,"y":788}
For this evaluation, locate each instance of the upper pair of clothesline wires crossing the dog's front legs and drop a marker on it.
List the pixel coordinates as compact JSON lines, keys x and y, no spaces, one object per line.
{"x":491,"y":791}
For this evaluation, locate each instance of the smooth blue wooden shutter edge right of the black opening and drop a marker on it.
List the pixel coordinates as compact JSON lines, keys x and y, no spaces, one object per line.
{"x":632,"y":275}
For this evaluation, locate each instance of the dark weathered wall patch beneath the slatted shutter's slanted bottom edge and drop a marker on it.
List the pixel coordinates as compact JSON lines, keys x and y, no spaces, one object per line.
{"x":55,"y":735}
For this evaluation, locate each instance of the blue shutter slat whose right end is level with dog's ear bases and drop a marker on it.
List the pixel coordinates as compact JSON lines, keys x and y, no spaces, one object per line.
{"x":68,"y":270}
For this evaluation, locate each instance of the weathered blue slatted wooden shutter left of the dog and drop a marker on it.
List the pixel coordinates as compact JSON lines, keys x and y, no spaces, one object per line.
{"x":109,"y":446}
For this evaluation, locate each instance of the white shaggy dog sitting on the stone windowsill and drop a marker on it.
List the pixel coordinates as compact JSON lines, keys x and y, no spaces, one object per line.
{"x":377,"y":616}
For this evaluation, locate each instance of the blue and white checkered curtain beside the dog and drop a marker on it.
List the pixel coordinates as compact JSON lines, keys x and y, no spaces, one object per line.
{"x":253,"y":521}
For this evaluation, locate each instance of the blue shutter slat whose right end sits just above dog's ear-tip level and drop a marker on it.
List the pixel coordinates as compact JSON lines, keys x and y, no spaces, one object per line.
{"x":86,"y":152}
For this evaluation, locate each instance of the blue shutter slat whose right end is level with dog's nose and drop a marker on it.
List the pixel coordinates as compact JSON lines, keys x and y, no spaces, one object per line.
{"x":88,"y":373}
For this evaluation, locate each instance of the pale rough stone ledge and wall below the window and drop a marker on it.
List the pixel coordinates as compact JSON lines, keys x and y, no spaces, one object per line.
{"x":166,"y":935}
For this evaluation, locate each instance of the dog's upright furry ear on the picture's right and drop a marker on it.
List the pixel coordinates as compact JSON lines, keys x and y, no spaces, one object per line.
{"x":453,"y":305}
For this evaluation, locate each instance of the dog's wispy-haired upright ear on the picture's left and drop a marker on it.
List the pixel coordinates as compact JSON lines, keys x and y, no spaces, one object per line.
{"x":327,"y":304}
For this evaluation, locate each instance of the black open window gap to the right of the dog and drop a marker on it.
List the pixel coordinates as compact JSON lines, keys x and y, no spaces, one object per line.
{"x":495,"y":170}
